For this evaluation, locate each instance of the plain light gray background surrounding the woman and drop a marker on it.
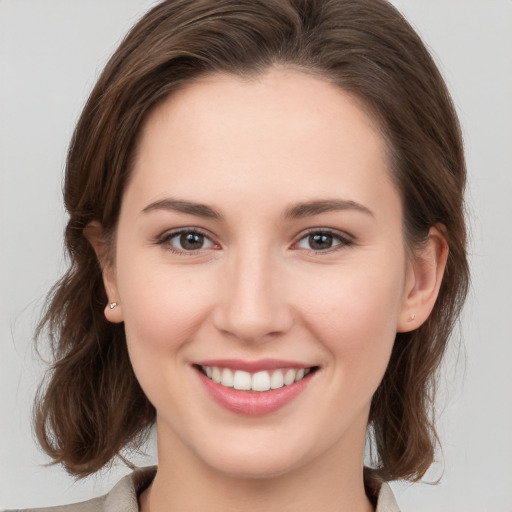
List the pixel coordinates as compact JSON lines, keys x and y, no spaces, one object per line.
{"x":51,"y":51}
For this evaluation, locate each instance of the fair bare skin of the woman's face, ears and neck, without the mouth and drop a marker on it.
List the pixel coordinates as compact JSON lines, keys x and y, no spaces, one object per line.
{"x":250,"y":150}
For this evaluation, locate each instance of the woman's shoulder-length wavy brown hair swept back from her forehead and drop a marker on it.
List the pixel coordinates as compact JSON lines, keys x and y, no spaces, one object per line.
{"x":92,"y":406}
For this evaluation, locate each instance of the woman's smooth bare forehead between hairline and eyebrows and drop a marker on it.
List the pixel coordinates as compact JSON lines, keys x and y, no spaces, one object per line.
{"x":283,"y":131}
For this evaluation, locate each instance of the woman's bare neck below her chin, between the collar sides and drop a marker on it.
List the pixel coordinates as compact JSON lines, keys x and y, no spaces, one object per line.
{"x":333,"y":482}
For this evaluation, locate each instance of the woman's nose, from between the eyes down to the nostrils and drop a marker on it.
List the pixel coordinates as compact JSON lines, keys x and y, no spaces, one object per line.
{"x":252,"y":305}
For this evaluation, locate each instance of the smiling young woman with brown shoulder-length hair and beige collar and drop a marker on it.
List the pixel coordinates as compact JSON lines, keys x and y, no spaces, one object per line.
{"x":268,"y":256}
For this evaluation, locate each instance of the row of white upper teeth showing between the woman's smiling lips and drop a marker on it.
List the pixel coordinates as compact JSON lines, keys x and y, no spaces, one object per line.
{"x":258,"y":381}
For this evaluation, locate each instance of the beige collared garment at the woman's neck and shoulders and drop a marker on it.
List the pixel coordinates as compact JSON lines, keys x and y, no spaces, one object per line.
{"x":124,"y":496}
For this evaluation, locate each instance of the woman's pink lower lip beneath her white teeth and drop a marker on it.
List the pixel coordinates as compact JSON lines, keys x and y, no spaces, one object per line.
{"x":253,"y":403}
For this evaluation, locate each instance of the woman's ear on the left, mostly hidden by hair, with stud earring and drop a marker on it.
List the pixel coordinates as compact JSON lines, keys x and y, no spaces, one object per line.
{"x":96,"y":237}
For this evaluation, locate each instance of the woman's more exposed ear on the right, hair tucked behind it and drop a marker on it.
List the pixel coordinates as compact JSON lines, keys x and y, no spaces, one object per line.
{"x":424,"y":276}
